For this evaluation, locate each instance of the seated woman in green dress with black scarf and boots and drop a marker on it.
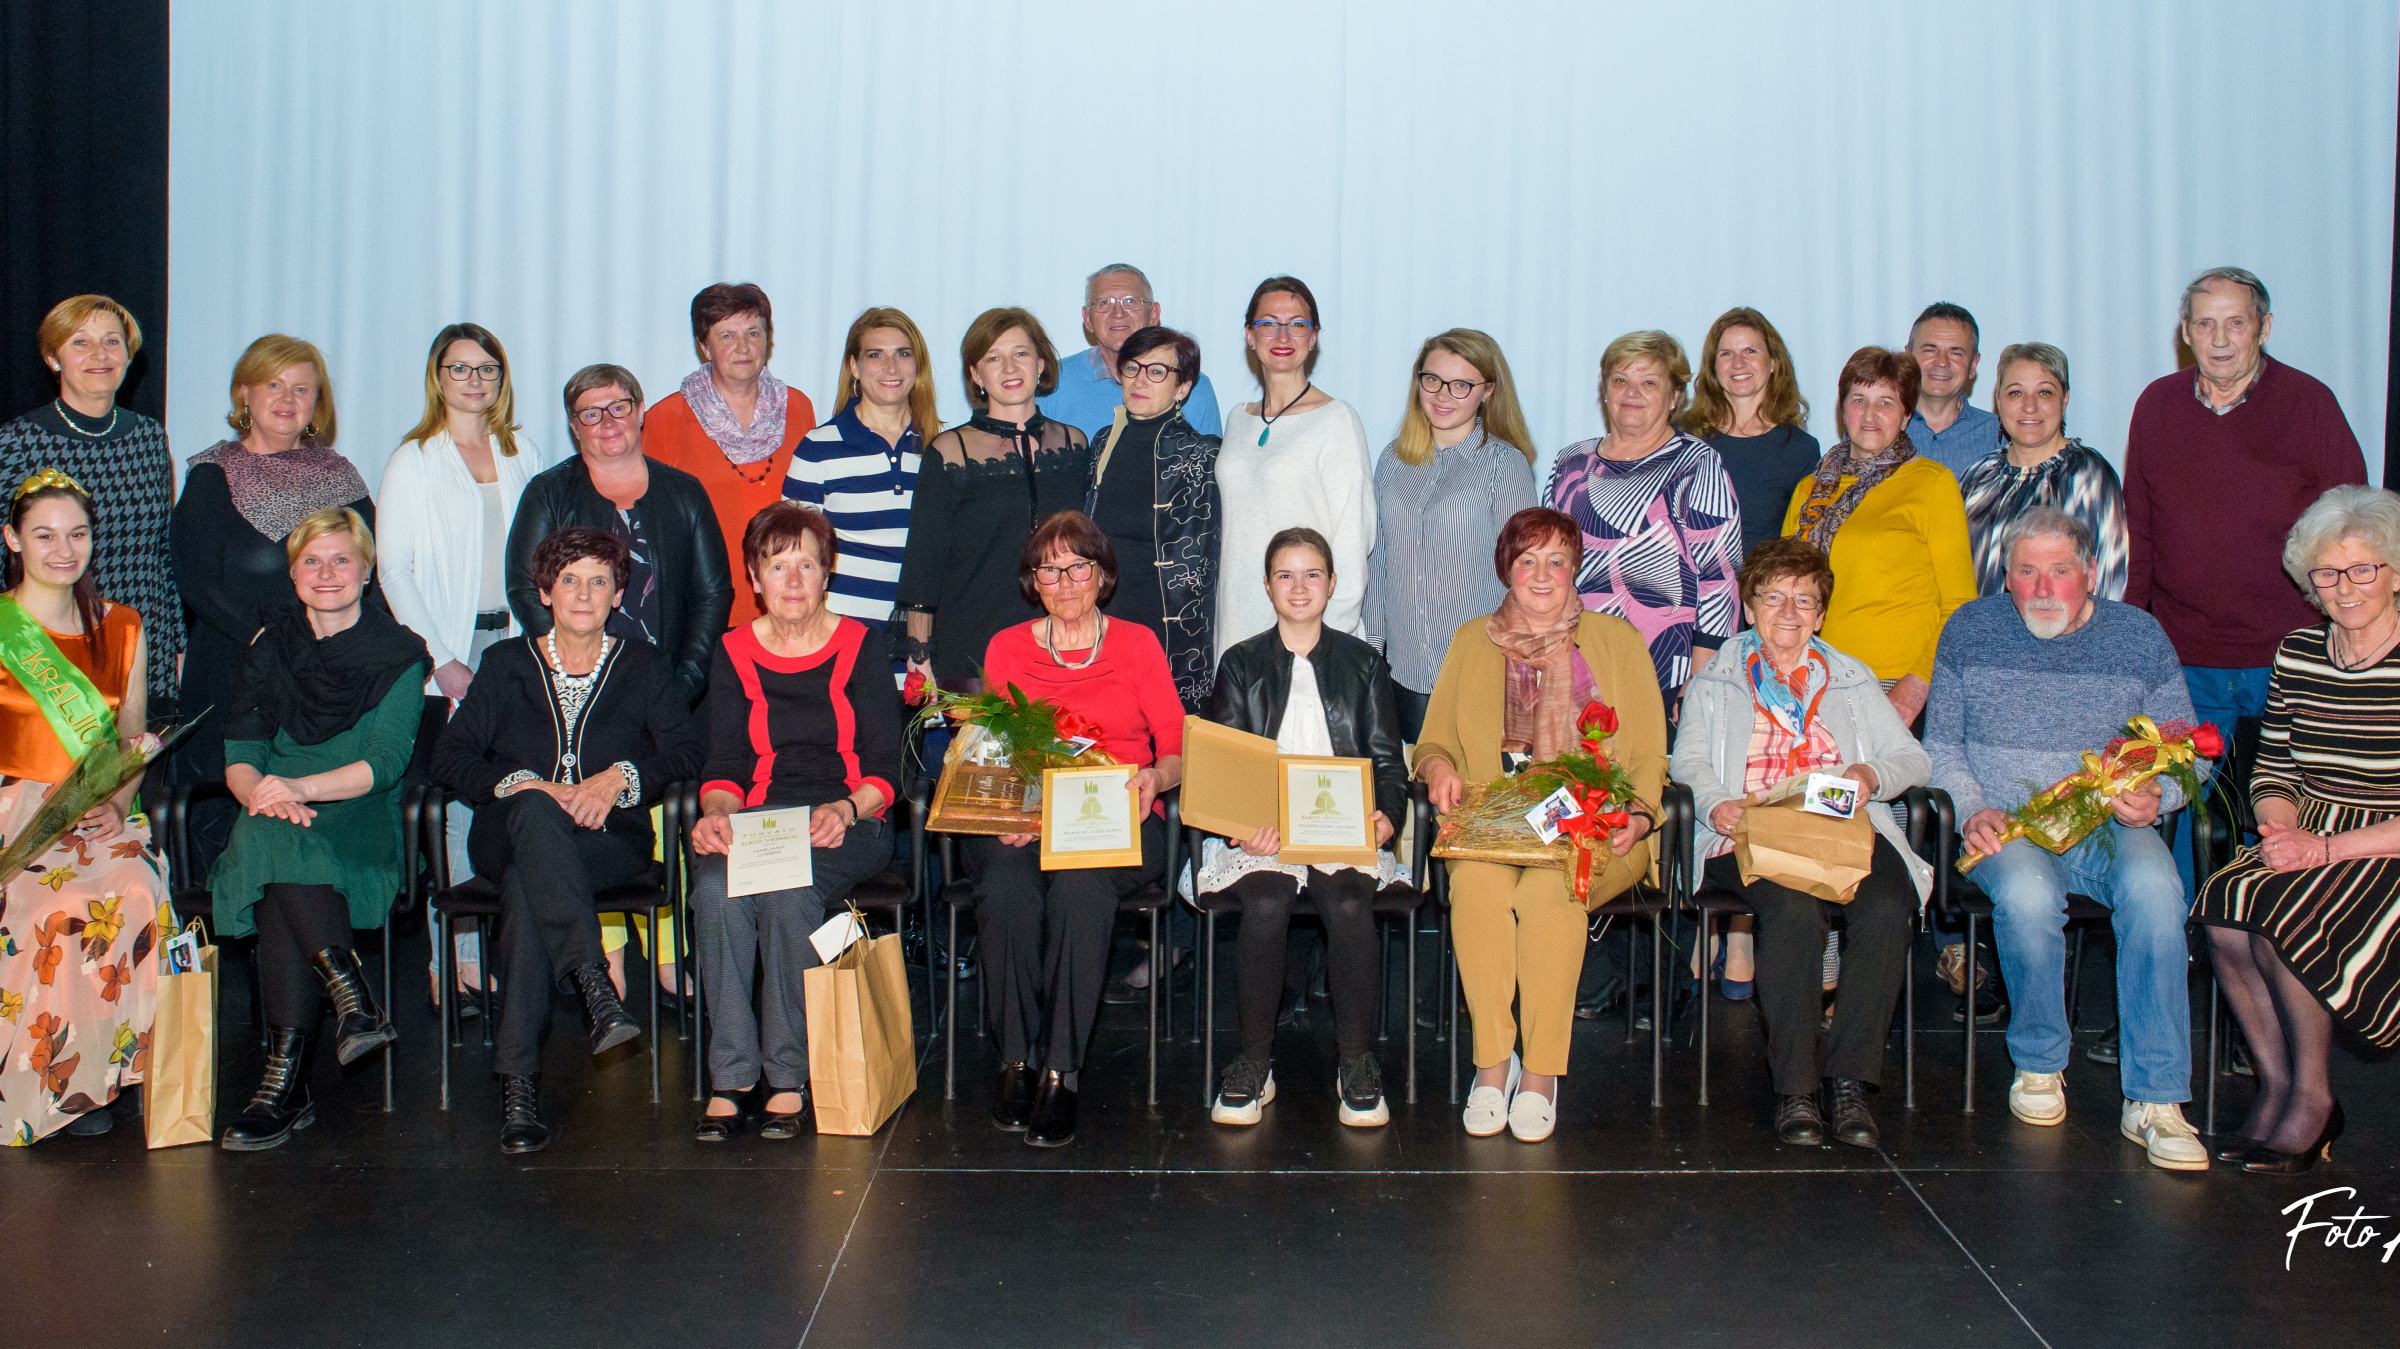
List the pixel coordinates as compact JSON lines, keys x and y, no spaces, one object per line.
{"x":320,"y":731}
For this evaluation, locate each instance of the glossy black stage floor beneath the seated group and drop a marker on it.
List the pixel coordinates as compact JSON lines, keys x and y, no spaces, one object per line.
{"x":1631,"y":1228}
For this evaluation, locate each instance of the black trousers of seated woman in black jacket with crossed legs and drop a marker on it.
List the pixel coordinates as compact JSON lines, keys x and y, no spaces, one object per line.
{"x":551,"y":873}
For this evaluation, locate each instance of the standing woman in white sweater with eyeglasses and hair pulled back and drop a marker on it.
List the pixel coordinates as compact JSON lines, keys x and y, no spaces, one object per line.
{"x":1295,"y":457}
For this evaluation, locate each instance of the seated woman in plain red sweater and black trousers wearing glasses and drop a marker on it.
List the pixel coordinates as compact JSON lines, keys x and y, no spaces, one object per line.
{"x":1045,"y":935}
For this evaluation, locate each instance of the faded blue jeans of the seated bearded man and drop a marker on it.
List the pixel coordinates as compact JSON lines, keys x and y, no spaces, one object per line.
{"x":2149,"y":909}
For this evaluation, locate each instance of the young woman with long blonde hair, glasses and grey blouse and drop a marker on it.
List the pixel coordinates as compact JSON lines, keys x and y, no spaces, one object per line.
{"x":1460,"y":467}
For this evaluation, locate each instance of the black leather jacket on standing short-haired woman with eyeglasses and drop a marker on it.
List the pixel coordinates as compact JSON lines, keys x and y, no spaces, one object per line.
{"x":695,"y":592}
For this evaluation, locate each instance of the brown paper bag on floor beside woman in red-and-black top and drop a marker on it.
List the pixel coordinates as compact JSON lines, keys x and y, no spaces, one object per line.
{"x":863,"y":1038}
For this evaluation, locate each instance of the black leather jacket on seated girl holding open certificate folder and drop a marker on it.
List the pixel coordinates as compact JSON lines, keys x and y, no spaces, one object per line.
{"x":1254,"y":681}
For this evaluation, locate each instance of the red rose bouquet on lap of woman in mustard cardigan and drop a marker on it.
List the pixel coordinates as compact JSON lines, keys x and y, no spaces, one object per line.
{"x":1492,"y":825}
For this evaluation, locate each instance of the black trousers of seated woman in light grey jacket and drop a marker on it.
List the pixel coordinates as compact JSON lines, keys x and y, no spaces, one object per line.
{"x":1792,"y":971}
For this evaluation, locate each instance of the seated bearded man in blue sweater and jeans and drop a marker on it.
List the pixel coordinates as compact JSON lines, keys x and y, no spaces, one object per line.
{"x":2024,"y":685}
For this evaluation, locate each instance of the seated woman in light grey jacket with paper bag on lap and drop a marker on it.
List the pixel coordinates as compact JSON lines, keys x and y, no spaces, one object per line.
{"x":1777,"y":702}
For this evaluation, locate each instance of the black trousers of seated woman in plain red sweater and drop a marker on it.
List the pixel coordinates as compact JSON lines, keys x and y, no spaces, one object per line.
{"x":1045,"y":945}
